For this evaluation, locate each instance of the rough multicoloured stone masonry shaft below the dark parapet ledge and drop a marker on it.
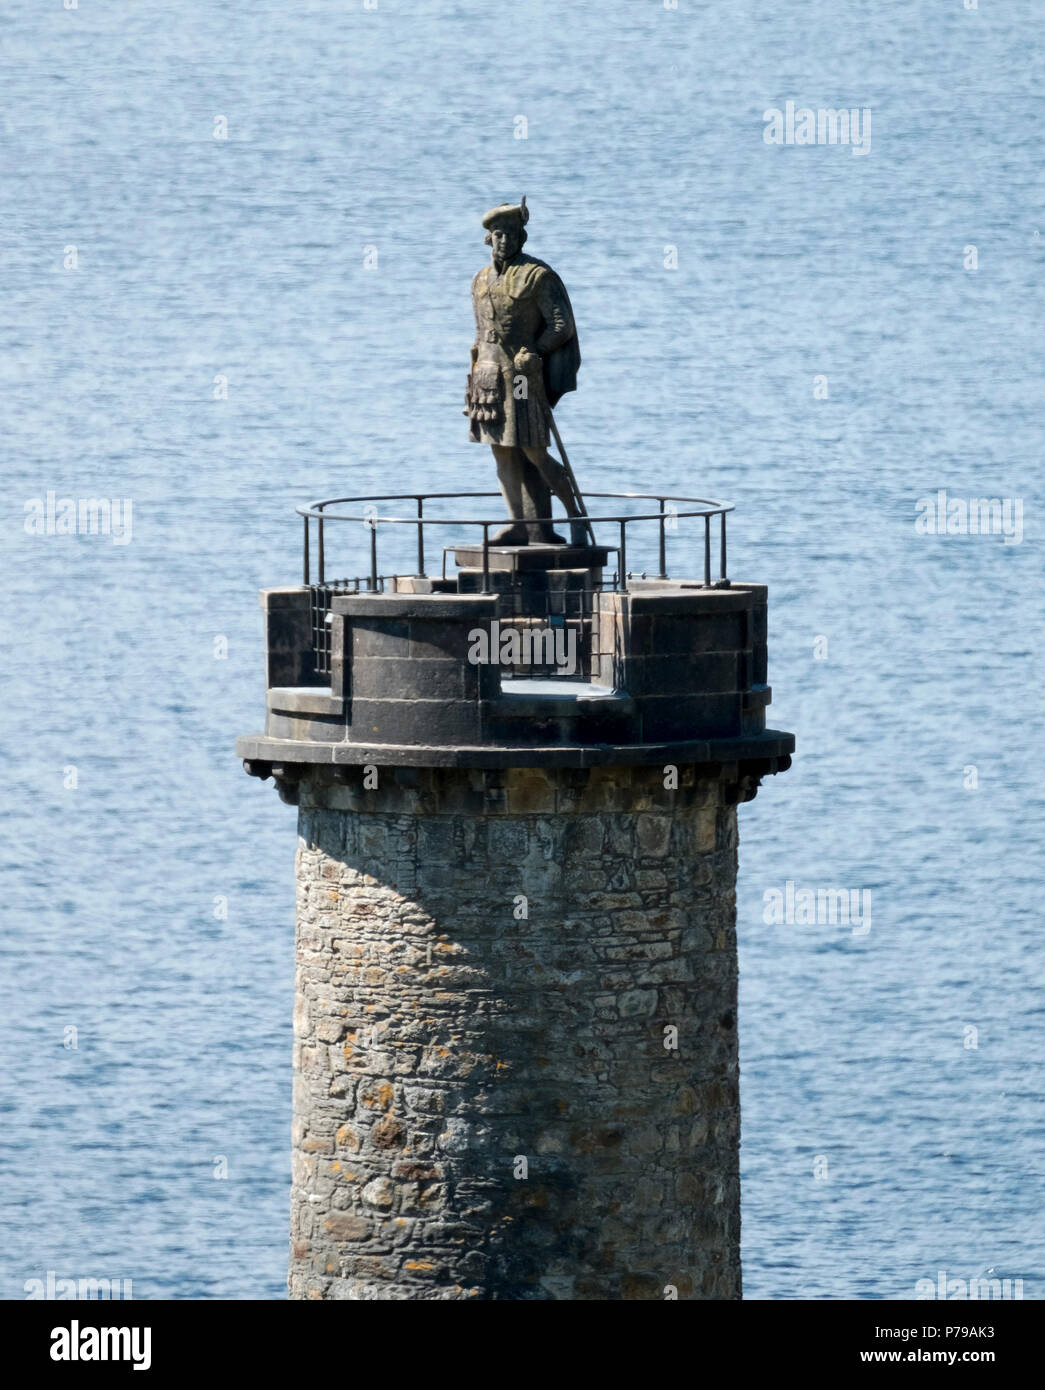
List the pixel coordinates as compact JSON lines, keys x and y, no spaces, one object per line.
{"x":490,"y":967}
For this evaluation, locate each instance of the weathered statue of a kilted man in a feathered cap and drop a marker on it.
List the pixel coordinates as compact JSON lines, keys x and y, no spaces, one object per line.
{"x":525,"y":358}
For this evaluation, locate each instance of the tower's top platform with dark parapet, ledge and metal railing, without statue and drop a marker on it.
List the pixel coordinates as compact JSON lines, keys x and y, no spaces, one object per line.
{"x":529,"y":657}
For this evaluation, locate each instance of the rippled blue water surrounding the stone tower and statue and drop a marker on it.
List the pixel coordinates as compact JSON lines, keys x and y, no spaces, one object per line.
{"x":319,"y":261}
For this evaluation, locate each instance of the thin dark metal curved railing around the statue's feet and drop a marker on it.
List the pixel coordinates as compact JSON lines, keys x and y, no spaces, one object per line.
{"x":668,"y":518}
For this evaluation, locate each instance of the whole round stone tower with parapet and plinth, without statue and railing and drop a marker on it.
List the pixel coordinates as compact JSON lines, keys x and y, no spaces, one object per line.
{"x":516,"y":1061}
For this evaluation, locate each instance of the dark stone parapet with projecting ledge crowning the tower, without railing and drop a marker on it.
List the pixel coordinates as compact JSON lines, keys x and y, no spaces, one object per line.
{"x":677,"y":676}
